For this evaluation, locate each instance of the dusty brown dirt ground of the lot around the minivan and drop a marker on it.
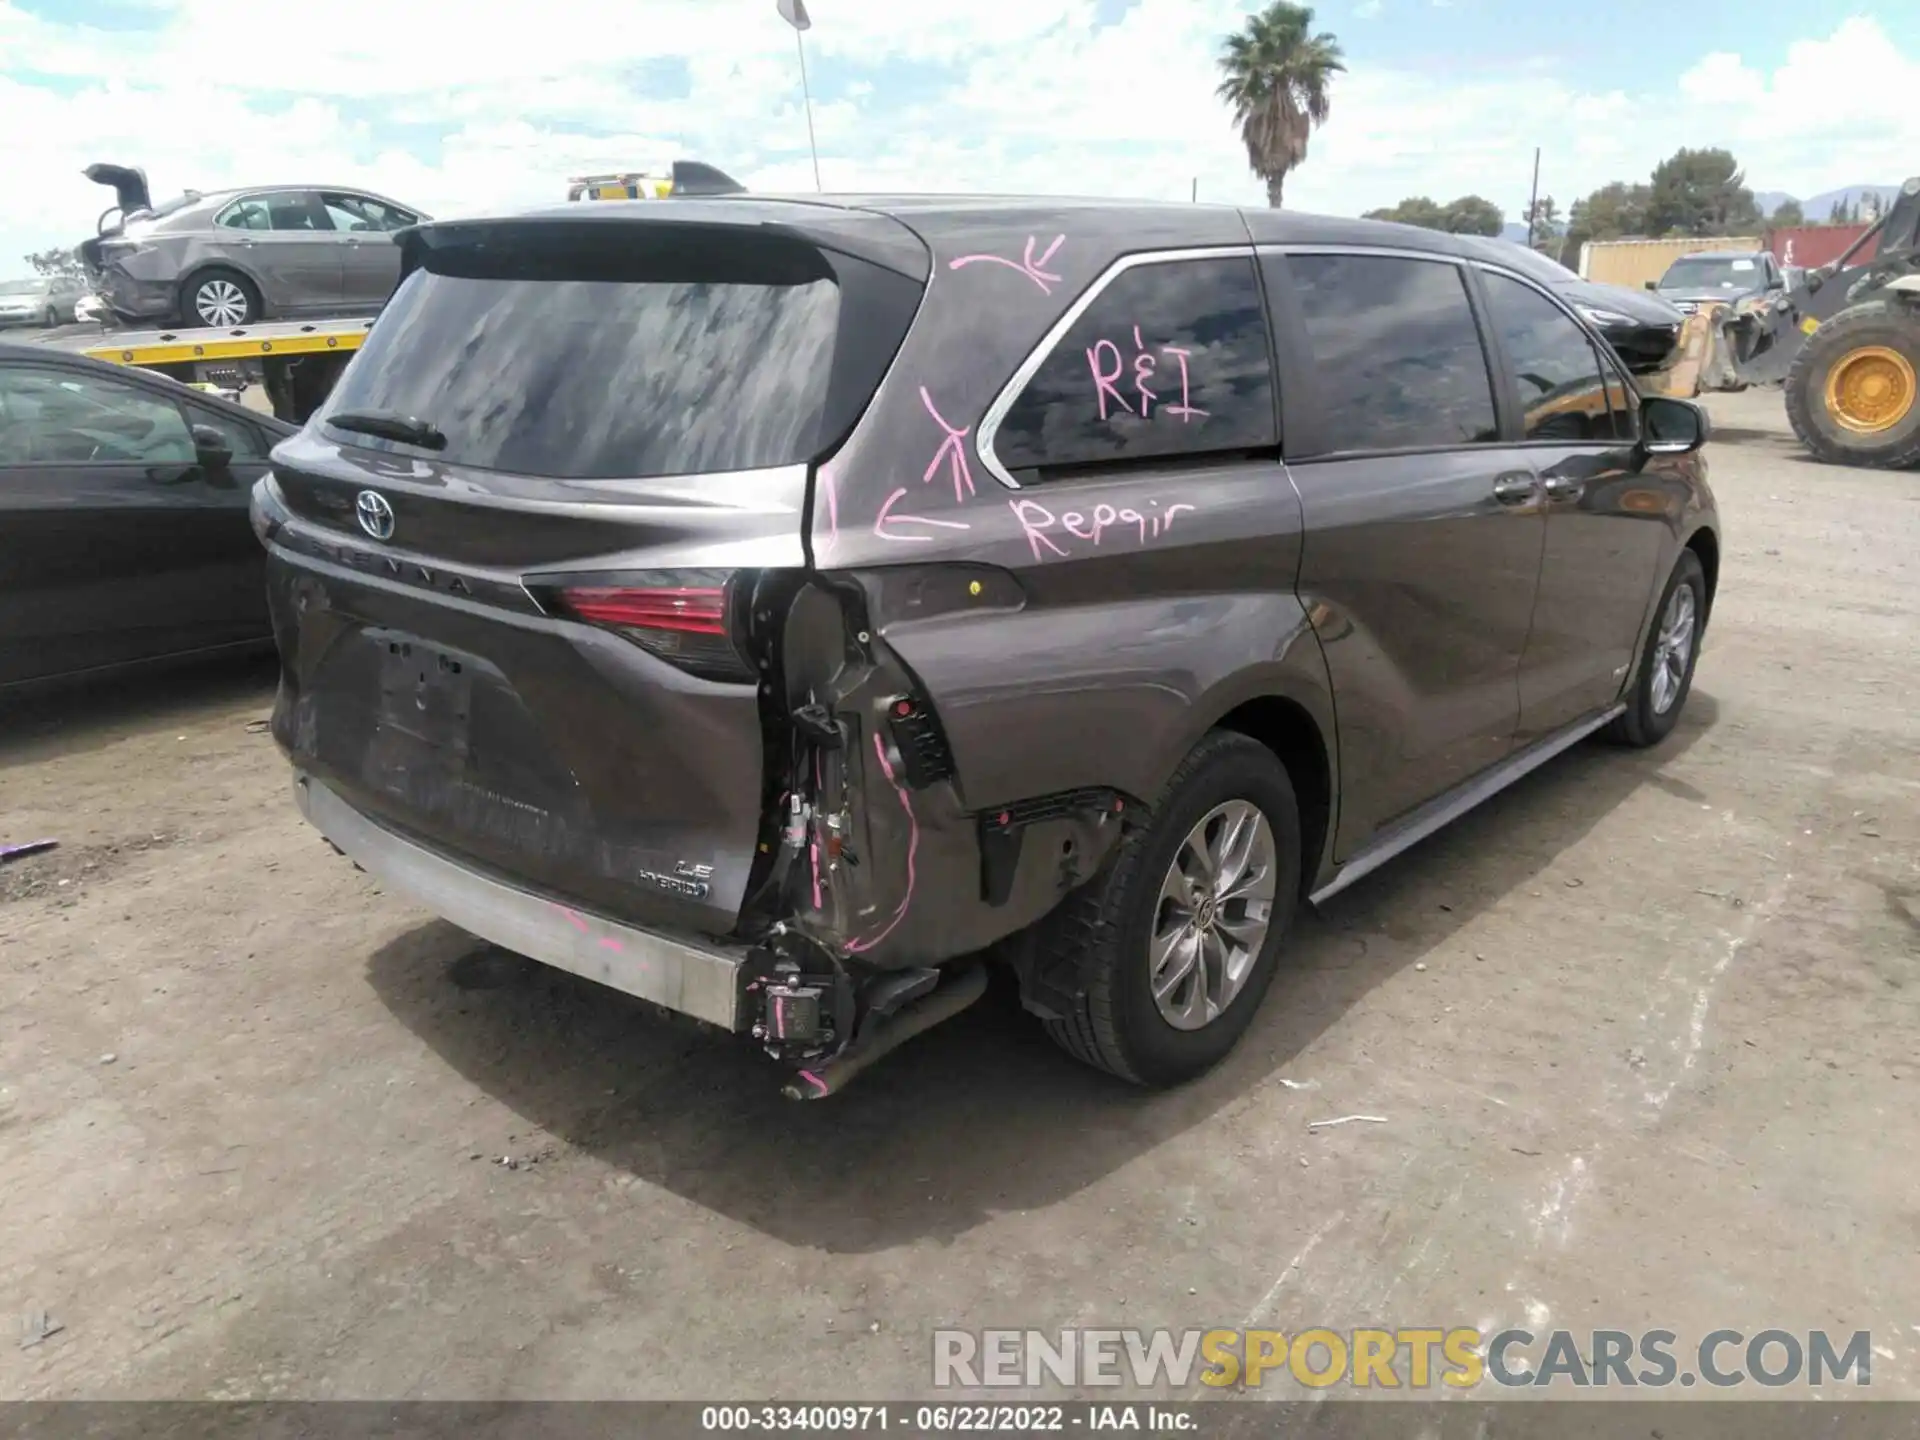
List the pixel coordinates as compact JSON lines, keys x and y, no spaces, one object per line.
{"x":1644,"y":1036}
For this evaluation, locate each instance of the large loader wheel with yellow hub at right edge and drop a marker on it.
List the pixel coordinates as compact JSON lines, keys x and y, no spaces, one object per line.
{"x":1854,"y":391}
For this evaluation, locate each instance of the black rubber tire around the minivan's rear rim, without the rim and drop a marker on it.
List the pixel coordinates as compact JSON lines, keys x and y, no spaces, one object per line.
{"x":1109,"y":923}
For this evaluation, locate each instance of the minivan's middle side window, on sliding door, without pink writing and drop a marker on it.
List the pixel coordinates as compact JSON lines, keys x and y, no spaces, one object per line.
{"x":1397,"y":352}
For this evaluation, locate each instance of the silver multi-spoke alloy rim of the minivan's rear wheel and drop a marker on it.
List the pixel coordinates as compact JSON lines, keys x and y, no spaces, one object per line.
{"x":1212,"y":917}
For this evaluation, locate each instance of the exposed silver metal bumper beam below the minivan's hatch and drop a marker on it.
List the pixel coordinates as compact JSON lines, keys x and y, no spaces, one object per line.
{"x":686,"y":976}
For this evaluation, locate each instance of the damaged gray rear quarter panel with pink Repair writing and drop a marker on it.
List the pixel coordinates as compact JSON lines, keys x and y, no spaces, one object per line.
{"x":1134,"y":608}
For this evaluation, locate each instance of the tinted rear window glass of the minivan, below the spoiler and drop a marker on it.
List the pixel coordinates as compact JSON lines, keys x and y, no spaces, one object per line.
{"x":604,"y":366}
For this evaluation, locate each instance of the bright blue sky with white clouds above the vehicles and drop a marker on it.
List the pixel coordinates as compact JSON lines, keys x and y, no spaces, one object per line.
{"x":469,"y":105}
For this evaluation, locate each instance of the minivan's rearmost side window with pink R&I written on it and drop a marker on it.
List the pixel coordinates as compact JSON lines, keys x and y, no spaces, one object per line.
{"x":1170,"y":360}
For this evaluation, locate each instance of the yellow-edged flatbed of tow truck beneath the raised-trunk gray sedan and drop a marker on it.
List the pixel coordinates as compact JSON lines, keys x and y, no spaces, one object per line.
{"x":293,"y":362}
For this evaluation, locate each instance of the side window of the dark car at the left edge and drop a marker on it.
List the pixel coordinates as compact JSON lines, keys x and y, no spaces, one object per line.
{"x":64,"y":418}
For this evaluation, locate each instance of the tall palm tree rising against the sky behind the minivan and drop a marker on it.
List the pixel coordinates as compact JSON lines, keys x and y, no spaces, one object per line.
{"x":1278,"y":74}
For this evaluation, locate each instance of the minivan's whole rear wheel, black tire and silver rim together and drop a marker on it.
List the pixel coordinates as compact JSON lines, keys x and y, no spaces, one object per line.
{"x":1180,"y":934}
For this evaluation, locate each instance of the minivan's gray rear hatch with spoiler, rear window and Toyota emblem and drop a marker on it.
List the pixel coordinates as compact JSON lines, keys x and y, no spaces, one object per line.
{"x":529,"y":556}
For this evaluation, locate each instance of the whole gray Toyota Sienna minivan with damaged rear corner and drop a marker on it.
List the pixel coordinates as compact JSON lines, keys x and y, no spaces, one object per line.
{"x":769,"y":608}
